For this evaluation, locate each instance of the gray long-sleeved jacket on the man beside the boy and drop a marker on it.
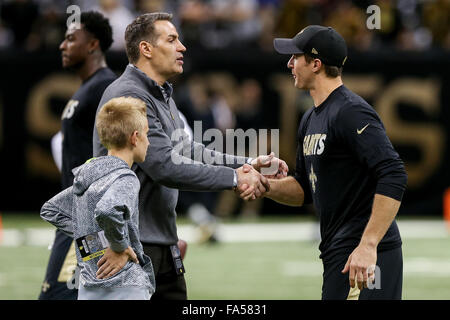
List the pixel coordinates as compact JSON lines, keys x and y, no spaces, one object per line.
{"x":167,"y":167}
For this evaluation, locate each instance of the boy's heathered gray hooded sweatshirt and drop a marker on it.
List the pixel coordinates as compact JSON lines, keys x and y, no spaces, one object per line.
{"x":104,"y":196}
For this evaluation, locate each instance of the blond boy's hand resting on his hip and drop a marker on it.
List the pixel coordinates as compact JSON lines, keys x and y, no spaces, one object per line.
{"x":112,"y":262}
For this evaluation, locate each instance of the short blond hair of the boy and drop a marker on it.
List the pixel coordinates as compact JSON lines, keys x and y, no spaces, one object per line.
{"x":118,"y":119}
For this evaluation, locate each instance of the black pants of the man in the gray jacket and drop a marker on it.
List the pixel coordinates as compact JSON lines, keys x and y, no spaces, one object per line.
{"x":169,"y":285}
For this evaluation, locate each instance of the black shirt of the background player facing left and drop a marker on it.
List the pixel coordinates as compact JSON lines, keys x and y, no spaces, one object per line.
{"x":78,"y":121}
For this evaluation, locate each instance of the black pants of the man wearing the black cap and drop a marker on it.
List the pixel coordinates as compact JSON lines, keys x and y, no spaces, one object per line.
{"x":336,"y":285}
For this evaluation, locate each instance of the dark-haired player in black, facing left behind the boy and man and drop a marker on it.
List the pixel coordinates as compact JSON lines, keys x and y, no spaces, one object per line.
{"x":83,"y":51}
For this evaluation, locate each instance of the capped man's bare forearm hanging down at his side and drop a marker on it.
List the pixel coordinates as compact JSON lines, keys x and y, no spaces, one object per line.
{"x":384,"y":211}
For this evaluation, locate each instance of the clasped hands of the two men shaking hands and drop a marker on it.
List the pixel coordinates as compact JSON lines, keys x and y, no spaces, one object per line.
{"x":253,"y":180}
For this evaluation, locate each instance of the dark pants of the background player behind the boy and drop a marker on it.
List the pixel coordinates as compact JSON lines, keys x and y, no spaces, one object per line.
{"x":52,"y":289}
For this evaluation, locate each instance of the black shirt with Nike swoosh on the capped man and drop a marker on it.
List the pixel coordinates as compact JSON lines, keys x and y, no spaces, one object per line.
{"x":344,"y":158}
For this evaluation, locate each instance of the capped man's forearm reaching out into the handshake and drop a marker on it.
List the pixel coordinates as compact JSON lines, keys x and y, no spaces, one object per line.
{"x":286,"y":191}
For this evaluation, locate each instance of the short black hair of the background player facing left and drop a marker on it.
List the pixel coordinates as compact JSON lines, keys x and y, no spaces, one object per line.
{"x":96,"y":24}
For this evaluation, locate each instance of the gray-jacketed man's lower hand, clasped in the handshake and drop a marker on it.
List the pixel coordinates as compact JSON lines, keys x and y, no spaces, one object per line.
{"x":251,"y":182}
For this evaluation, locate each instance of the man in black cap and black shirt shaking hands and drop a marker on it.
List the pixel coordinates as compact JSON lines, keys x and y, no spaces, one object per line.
{"x":348,"y":168}
